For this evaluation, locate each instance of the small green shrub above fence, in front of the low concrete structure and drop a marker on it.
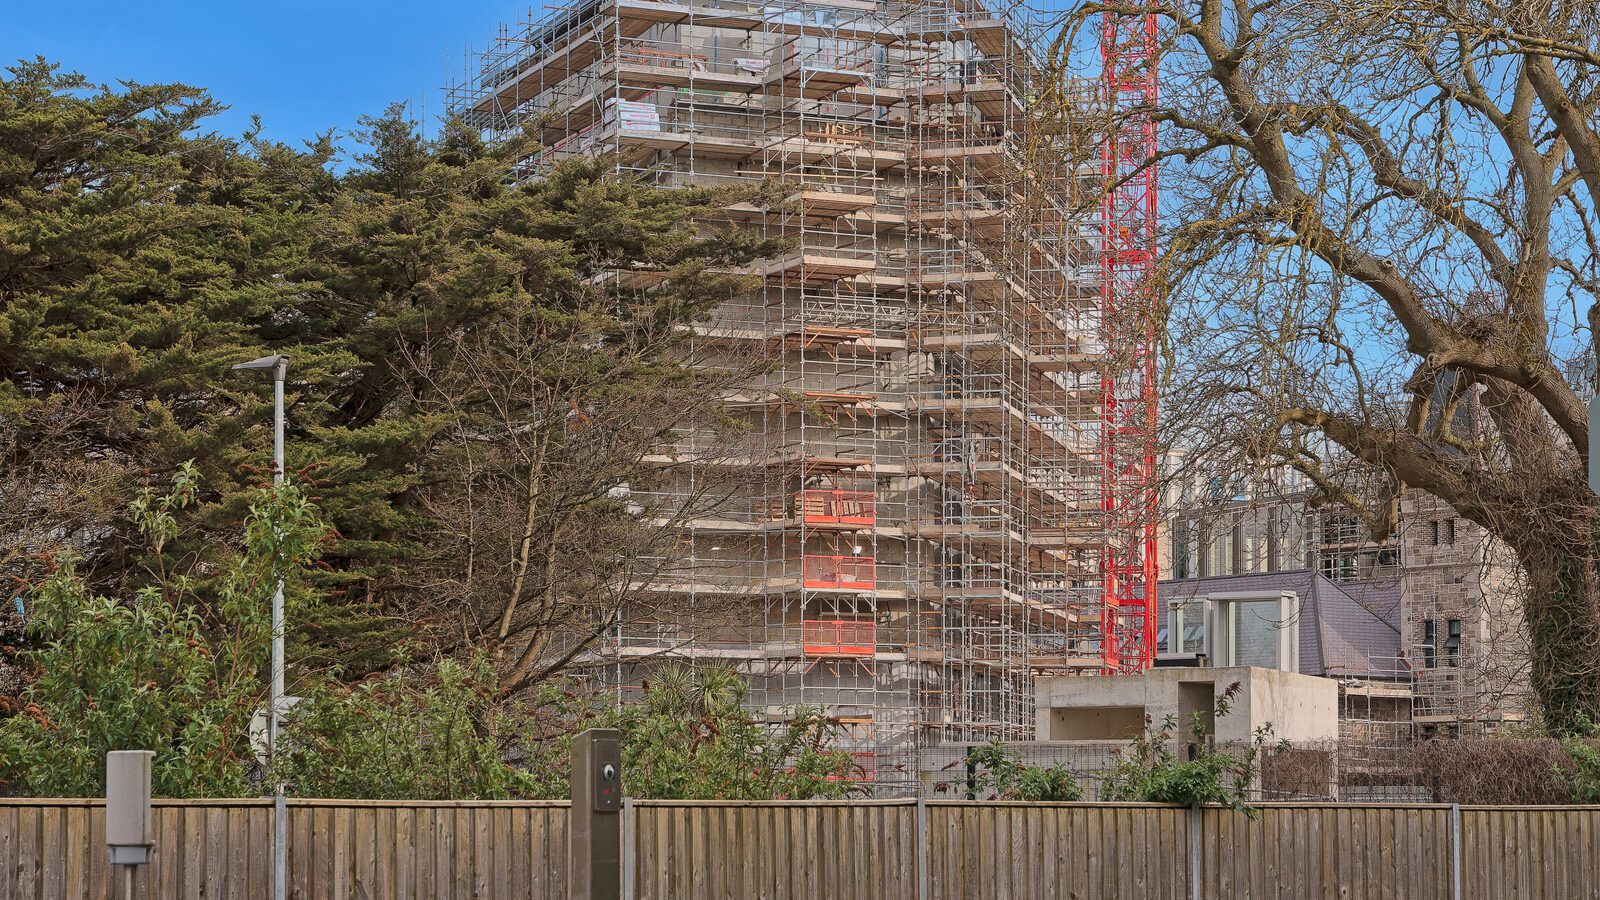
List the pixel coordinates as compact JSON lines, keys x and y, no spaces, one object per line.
{"x":1151,"y":771}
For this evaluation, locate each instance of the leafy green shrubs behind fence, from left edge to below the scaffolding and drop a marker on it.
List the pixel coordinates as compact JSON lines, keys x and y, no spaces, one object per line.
{"x":180,"y":669}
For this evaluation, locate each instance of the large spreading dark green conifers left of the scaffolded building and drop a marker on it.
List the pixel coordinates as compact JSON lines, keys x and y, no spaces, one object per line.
{"x":140,"y":257}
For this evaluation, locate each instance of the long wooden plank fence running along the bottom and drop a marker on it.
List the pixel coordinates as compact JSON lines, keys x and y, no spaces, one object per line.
{"x":825,"y":851}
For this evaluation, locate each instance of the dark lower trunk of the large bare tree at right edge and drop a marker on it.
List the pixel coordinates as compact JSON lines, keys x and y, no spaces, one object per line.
{"x":1564,"y":625}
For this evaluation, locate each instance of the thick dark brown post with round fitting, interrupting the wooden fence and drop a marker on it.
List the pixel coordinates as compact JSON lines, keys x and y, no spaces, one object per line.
{"x":596,"y":845}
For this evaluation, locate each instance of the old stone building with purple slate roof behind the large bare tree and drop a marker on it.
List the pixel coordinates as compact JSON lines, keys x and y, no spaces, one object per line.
{"x":1423,"y":629}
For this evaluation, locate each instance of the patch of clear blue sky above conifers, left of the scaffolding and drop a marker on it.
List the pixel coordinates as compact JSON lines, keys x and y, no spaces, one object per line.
{"x":303,"y":66}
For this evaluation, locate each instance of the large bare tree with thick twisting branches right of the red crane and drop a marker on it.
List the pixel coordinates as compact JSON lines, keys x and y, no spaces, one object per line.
{"x":1383,"y":263}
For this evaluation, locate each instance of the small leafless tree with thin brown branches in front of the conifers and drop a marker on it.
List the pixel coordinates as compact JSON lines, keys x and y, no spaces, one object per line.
{"x":545,"y":486}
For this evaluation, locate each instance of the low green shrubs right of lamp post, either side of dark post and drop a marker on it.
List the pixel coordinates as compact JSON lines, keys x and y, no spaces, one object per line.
{"x":447,"y":734}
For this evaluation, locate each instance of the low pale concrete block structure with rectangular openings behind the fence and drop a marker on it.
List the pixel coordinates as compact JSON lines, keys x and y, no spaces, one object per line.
{"x":1114,"y":709}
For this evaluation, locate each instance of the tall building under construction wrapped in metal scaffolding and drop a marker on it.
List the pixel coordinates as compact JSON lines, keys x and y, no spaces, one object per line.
{"x":945,"y":483}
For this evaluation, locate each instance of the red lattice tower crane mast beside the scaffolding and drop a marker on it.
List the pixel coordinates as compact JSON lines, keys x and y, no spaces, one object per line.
{"x":1130,"y":327}
